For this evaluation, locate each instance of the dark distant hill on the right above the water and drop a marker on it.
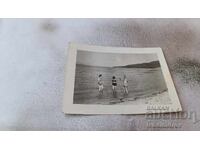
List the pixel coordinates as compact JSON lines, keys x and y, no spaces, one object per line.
{"x":153,"y":64}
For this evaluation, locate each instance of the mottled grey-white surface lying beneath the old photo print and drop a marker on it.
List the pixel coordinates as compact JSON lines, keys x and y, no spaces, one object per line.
{"x":32,"y":59}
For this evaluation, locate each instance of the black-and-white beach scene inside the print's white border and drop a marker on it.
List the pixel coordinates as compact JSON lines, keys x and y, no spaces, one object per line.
{"x":117,"y":78}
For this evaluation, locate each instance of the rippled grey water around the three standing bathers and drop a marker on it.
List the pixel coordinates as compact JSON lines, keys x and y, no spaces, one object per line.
{"x":142,"y":82}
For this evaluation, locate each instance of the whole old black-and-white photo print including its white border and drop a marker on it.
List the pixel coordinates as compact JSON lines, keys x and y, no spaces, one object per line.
{"x":118,"y":80}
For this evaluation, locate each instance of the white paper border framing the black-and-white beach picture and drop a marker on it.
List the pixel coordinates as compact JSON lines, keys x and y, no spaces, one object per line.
{"x":70,"y":68}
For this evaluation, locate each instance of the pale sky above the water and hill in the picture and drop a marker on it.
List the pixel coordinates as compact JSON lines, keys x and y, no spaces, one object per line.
{"x":112,"y":59}
